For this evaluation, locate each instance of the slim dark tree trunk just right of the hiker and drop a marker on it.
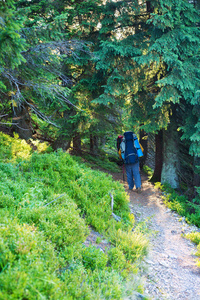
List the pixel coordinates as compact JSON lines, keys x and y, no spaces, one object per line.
{"x":158,"y":157}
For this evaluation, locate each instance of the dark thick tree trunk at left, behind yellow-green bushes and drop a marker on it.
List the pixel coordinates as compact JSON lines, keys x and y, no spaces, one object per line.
{"x":22,"y":122}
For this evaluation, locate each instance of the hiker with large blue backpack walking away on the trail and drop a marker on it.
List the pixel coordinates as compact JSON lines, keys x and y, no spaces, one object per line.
{"x":130,"y":151}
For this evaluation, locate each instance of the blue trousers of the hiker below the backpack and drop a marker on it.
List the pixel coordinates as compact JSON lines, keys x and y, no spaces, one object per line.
{"x":133,"y":175}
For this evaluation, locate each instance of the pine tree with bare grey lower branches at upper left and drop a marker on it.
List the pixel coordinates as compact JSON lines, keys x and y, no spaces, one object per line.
{"x":39,"y":85}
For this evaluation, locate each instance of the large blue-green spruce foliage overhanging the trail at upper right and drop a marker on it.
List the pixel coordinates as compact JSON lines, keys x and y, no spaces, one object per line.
{"x":153,"y":67}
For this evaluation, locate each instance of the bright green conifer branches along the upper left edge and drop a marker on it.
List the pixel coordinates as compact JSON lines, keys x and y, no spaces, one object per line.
{"x":11,"y":47}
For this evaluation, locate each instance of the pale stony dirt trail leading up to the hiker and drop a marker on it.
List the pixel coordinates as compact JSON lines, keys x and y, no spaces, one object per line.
{"x":171,"y":271}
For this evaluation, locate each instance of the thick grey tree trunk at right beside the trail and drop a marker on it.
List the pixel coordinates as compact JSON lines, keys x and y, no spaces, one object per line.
{"x":171,"y":164}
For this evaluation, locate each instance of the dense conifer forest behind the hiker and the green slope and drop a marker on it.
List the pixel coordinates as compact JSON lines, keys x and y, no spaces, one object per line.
{"x":78,"y":73}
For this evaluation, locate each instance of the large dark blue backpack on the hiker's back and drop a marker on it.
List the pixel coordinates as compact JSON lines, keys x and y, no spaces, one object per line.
{"x":128,"y":149}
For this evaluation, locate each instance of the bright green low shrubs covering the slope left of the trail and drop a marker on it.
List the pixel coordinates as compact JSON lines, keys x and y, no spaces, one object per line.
{"x":42,"y":255}
